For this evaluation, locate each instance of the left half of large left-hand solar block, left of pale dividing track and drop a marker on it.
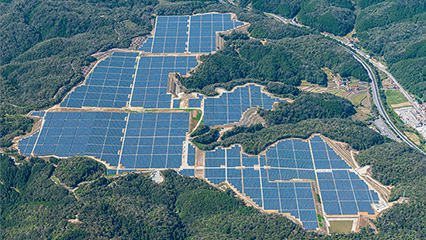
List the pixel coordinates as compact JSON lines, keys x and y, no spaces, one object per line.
{"x":66,"y":134}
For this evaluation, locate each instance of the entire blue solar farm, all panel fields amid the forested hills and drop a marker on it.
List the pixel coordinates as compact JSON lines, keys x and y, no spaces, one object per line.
{"x":154,"y":140}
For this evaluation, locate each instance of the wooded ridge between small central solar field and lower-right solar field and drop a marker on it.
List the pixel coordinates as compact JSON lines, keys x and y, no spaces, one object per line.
{"x":309,"y":113}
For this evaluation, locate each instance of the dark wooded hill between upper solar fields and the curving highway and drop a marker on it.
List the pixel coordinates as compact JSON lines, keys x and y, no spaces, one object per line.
{"x":287,"y":61}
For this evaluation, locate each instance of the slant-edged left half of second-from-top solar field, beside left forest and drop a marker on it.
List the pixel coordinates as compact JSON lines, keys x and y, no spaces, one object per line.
{"x":108,"y":86}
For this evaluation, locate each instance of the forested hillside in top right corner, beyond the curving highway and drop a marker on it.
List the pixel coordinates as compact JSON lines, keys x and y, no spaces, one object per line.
{"x":396,"y":30}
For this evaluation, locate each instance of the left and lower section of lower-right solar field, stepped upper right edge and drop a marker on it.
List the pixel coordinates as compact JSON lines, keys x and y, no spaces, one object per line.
{"x":249,"y":175}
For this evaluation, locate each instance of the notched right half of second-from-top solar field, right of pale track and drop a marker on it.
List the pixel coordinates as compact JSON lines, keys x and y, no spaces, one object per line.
{"x":150,"y":89}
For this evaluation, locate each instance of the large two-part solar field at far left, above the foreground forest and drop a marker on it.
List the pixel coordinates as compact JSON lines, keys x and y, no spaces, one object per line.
{"x":151,"y":140}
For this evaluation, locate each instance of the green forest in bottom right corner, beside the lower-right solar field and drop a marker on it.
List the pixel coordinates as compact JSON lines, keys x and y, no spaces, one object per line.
{"x":401,"y":166}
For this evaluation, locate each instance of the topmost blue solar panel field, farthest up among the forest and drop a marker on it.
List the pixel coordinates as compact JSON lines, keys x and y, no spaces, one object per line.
{"x":195,"y":34}
